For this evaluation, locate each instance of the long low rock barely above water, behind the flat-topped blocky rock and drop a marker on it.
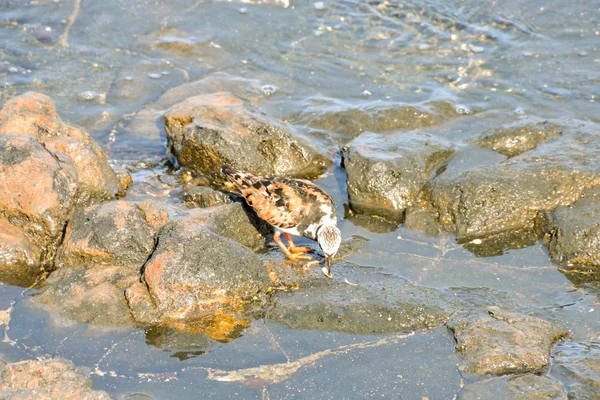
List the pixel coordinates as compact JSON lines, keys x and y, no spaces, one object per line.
{"x":348,"y":121}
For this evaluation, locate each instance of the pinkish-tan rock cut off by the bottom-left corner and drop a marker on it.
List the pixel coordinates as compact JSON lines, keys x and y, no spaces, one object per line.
{"x":47,"y":379}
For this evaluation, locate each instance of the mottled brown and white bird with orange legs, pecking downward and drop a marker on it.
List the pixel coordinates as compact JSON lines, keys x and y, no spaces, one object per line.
{"x":292,"y":206}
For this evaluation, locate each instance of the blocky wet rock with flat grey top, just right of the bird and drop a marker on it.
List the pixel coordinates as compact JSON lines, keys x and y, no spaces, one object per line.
{"x":386,"y":172}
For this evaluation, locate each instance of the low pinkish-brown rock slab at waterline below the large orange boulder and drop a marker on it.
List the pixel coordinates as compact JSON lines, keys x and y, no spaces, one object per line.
{"x":89,"y":295}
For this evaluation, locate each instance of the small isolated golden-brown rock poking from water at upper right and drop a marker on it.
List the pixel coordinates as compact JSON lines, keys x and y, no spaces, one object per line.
{"x":518,"y":137}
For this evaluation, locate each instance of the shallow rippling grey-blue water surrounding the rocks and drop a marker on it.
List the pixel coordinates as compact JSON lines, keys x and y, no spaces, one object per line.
{"x":477,"y":64}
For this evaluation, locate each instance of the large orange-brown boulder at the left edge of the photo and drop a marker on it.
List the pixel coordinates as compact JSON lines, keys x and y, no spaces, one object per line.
{"x":47,"y":169}
